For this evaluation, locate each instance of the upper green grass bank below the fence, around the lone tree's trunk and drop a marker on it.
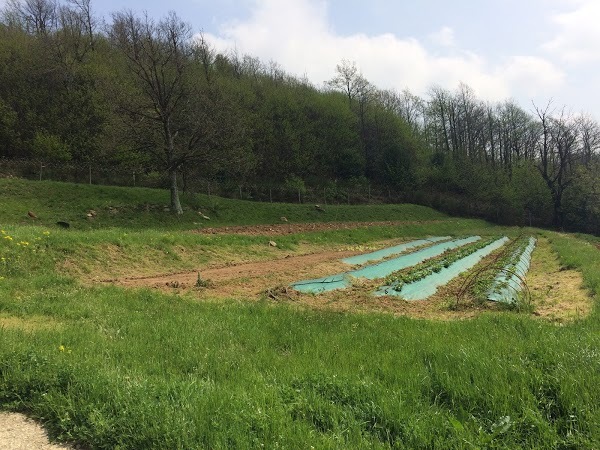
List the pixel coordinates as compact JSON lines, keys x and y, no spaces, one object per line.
{"x":141,"y":208}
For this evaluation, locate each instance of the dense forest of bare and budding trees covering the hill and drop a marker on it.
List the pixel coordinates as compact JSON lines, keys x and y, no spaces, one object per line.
{"x":130,"y":94}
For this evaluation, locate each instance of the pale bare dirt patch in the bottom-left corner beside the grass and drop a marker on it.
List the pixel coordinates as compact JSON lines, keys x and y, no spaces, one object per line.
{"x":17,"y":432}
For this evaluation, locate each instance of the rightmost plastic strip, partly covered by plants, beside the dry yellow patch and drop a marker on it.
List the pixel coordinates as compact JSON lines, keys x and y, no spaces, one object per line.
{"x":507,"y":284}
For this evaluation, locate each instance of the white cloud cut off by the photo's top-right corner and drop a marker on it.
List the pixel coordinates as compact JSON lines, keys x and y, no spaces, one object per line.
{"x":579,"y":33}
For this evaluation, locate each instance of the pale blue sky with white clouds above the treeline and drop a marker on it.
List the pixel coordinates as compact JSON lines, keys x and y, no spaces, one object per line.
{"x":532,"y":51}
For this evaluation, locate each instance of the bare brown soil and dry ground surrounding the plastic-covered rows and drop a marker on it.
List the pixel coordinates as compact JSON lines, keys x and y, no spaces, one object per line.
{"x":557,"y":294}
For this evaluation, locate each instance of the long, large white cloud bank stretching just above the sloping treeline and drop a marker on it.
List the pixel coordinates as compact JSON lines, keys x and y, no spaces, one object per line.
{"x":297,"y":35}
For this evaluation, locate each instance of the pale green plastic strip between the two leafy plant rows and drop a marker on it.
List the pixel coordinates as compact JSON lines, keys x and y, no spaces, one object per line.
{"x":425,"y":287}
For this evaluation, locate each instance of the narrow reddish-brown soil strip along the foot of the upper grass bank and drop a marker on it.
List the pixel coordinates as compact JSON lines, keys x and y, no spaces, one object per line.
{"x":292,"y":228}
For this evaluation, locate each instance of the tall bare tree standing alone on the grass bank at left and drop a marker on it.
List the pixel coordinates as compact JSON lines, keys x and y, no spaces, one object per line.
{"x":159,"y":55}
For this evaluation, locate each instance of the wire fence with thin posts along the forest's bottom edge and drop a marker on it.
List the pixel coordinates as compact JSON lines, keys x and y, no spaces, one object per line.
{"x":327,"y":192}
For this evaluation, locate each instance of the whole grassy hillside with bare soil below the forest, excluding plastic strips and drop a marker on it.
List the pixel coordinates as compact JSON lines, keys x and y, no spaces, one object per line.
{"x":137,"y":329}
